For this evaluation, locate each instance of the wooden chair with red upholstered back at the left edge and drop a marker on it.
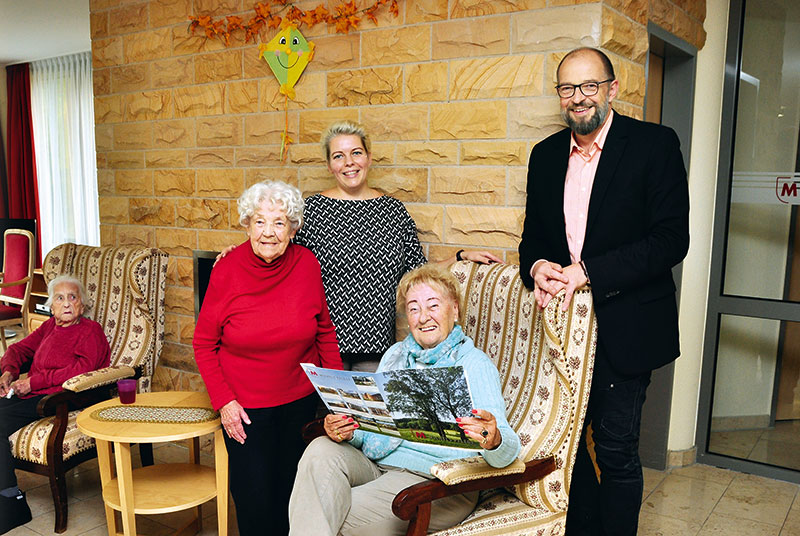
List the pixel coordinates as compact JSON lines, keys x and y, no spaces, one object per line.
{"x":16,"y":280}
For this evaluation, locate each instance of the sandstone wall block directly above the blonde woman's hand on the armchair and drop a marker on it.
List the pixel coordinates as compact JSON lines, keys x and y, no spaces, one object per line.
{"x":494,"y":227}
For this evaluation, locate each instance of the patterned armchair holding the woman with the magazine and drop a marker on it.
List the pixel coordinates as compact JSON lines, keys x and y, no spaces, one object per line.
{"x":545,"y":359}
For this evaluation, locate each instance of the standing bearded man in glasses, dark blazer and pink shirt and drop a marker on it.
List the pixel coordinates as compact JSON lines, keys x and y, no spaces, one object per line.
{"x":608,"y":206}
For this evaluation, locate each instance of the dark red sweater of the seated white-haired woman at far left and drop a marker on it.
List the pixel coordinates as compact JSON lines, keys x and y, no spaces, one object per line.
{"x":58,"y":354}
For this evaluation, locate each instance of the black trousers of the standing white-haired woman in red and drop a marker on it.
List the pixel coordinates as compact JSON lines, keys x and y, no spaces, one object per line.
{"x":262,"y":470}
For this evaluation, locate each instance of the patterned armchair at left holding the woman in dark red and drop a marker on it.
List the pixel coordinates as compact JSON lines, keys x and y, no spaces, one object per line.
{"x":126,"y":288}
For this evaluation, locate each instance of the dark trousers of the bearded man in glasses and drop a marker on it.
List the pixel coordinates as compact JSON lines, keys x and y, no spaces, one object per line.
{"x":610,"y":506}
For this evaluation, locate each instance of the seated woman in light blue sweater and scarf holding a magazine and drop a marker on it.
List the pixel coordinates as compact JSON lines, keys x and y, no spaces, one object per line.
{"x":347,"y":479}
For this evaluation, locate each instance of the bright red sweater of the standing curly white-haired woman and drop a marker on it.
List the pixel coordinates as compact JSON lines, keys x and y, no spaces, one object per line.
{"x":258,"y":322}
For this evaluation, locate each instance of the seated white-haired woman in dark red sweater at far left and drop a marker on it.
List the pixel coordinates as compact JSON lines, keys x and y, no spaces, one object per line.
{"x":66,"y":345}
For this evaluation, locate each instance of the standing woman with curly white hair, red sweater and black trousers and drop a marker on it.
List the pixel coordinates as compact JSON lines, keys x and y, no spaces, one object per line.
{"x":263,"y":314}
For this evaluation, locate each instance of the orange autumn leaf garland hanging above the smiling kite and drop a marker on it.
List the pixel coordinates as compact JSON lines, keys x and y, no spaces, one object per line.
{"x":345,"y":17}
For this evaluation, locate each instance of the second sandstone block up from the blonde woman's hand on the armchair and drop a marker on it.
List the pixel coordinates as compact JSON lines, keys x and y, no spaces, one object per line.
{"x":467,"y":185}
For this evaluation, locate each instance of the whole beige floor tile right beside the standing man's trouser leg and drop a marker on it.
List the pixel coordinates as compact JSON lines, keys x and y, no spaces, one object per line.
{"x":688,"y":499}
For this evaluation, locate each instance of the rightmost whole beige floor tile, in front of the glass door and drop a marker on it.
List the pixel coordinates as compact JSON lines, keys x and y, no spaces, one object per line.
{"x":757,"y":499}
